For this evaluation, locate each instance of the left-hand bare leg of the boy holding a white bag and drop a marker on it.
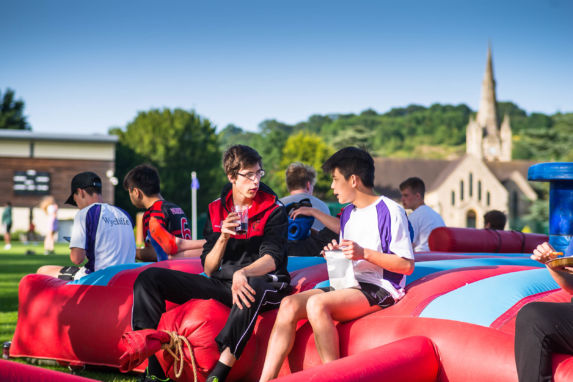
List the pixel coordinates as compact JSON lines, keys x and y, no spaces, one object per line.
{"x":292,"y":310}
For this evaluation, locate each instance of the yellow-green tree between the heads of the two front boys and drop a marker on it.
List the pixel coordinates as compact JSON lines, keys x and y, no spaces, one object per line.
{"x":309,"y":149}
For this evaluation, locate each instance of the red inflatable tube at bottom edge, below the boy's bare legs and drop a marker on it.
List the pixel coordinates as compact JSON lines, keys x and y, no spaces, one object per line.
{"x":409,"y":359}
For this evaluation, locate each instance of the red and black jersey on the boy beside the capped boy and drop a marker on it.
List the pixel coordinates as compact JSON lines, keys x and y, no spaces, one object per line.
{"x":170,"y":216}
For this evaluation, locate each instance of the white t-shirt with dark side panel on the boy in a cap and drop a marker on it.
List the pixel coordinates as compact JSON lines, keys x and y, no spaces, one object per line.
{"x":106,"y":233}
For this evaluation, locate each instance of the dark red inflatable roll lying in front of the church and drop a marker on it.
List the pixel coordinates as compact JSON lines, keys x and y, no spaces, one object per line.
{"x":449,"y":239}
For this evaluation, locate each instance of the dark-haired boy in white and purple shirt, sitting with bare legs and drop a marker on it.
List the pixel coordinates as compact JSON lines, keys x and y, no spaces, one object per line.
{"x":374,"y":234}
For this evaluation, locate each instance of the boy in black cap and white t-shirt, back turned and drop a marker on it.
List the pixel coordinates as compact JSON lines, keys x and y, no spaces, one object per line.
{"x":102,"y":233}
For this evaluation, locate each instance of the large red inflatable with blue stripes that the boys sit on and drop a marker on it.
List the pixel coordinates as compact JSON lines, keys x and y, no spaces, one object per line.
{"x":464,"y":305}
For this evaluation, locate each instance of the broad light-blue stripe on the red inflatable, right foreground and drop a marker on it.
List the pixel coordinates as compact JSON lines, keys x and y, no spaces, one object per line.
{"x":483,"y":301}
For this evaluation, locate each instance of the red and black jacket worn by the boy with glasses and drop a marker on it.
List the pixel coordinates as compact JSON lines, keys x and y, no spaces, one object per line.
{"x":266,"y":234}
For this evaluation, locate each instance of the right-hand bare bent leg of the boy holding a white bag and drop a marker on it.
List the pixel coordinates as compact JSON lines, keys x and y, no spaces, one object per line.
{"x":341,"y":305}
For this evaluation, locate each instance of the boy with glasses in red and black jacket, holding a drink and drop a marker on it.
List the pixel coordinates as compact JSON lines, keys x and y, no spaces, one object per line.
{"x":247,"y":272}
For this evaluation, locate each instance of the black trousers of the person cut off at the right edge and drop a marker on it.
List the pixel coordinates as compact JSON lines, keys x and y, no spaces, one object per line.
{"x":541,"y":329}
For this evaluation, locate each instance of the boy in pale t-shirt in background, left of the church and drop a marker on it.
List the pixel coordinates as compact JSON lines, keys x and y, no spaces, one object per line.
{"x":423,"y":218}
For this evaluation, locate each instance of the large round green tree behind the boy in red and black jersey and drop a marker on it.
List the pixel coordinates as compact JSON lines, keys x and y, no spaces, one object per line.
{"x":176,"y":142}
